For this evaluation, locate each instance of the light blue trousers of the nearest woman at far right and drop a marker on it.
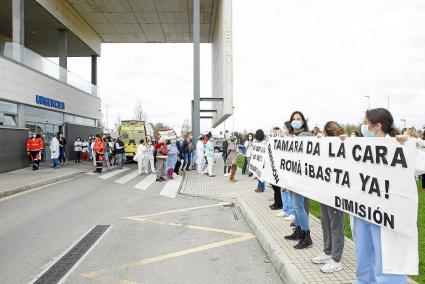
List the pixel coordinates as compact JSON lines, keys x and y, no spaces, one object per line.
{"x":367,"y":239}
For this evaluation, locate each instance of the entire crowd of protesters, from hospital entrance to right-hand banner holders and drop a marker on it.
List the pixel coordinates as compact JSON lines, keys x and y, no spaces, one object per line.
{"x":166,"y":158}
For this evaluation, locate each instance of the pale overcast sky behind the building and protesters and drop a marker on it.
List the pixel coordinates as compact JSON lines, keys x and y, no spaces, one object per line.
{"x":319,"y":57}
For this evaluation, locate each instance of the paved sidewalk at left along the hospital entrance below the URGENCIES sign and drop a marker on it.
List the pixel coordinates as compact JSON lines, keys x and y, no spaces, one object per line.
{"x":25,"y":179}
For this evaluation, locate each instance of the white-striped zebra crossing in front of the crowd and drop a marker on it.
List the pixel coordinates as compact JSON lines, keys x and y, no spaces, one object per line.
{"x":125,"y":175}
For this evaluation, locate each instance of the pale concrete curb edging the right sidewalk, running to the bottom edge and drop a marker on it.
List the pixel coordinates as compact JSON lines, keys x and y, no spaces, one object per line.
{"x":284,"y":266}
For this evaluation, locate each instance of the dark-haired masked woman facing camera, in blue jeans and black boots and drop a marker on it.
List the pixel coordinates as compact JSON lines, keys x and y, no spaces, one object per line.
{"x":300,"y":203}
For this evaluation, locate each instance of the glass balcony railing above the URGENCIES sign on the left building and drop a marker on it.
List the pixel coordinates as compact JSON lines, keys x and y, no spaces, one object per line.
{"x":29,"y":58}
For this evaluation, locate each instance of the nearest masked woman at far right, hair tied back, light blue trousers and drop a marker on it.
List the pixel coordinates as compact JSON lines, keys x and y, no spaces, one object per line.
{"x":367,"y":236}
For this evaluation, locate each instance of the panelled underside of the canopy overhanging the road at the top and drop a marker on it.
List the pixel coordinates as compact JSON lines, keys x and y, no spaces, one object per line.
{"x":145,"y":20}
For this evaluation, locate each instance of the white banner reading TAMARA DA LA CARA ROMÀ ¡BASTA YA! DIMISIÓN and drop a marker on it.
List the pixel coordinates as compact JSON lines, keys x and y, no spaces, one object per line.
{"x":372,"y":179}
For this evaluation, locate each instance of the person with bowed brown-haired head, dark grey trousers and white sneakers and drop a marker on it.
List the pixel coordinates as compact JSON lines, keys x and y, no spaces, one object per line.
{"x":332,"y":221}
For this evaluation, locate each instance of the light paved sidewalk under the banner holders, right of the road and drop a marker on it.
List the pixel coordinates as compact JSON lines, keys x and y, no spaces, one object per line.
{"x":294,"y":266}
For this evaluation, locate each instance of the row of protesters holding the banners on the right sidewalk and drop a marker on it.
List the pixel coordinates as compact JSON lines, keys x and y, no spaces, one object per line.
{"x":295,"y":207}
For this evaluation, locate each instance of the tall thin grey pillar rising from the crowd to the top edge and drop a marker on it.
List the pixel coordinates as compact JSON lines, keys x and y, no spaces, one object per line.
{"x":196,"y":69}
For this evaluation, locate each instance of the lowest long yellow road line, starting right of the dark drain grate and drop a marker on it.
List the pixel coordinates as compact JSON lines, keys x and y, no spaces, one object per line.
{"x":140,"y":263}
